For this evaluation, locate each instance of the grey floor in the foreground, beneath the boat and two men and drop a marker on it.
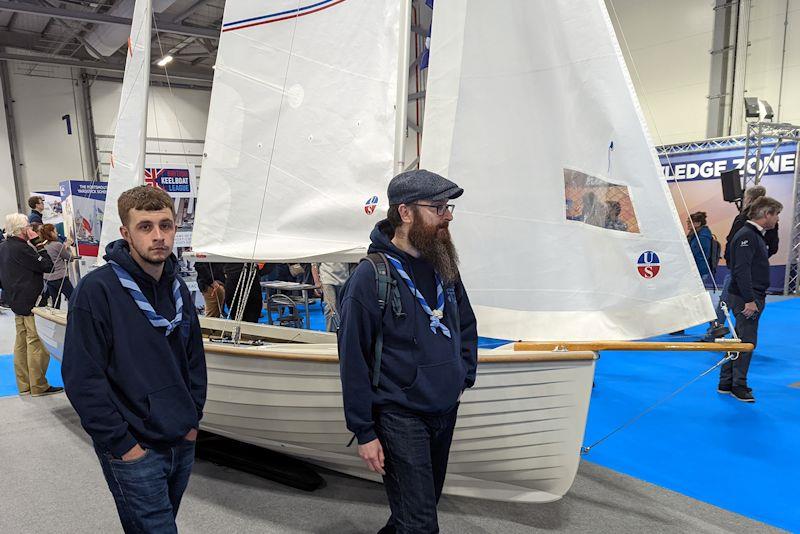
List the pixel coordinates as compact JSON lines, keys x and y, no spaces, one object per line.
{"x":51,"y":482}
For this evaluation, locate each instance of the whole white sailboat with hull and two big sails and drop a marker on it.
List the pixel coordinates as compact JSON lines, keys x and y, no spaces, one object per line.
{"x":531,"y":110}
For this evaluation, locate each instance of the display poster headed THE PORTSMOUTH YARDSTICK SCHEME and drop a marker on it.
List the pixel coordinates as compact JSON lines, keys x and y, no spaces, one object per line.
{"x":82,"y":209}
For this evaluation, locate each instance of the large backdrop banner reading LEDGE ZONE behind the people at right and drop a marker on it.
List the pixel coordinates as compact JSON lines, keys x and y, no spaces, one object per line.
{"x":694,"y":177}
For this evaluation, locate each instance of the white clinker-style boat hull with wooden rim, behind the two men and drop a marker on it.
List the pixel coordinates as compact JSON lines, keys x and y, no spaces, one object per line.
{"x":518,"y":434}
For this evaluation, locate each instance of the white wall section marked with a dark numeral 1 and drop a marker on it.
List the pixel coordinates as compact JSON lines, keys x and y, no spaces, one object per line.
{"x":41,"y":96}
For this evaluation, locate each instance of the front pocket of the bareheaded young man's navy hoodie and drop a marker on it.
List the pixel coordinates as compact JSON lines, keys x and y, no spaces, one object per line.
{"x":172,"y":413}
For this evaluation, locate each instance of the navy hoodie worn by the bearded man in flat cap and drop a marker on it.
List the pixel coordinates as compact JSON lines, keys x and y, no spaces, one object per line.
{"x":421,"y":372}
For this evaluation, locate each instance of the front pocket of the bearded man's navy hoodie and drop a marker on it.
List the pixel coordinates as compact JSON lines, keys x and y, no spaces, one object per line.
{"x":437,"y":386}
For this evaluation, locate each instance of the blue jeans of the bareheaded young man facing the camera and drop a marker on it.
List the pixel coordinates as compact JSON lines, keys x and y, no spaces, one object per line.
{"x":148,"y":490}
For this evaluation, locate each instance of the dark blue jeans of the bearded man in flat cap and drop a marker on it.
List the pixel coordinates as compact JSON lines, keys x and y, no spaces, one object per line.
{"x":416,"y":448}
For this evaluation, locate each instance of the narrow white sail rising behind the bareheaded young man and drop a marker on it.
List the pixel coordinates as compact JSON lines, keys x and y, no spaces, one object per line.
{"x":127,"y":157}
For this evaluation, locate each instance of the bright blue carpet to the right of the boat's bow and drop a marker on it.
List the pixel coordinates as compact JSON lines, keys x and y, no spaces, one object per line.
{"x":702,"y":444}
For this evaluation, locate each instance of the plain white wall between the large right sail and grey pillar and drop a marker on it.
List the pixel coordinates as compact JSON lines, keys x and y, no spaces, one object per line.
{"x":666,"y":45}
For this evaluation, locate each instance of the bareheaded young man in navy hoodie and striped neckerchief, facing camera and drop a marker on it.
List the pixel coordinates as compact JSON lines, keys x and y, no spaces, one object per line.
{"x":134,"y":366}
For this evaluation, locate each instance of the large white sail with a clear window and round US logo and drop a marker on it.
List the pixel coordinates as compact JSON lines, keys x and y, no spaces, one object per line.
{"x":523,"y":104}
